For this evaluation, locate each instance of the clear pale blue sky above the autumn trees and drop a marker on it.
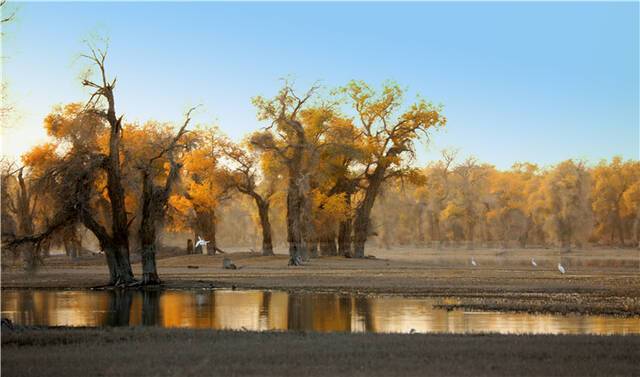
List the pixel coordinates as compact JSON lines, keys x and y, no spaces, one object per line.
{"x":538,"y":82}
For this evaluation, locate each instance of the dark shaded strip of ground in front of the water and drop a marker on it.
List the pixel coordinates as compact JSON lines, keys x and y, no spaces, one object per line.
{"x":177,"y":352}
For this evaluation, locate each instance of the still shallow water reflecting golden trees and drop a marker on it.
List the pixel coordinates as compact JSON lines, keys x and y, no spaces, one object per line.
{"x":275,"y":310}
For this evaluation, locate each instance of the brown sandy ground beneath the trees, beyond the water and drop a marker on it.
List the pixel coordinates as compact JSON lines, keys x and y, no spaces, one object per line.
{"x":602,"y":281}
